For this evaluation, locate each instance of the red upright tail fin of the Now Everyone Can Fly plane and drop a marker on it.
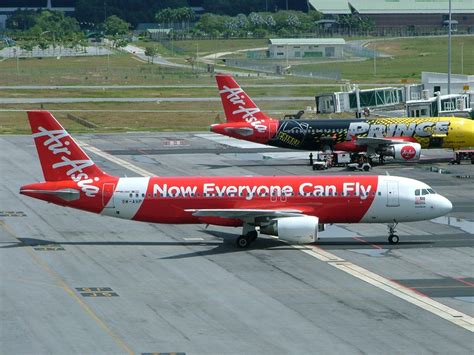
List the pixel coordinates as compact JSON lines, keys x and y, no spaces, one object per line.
{"x":60,"y":156}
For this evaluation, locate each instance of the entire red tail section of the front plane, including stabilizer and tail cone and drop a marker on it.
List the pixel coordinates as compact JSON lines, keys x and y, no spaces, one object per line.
{"x":72,"y":178}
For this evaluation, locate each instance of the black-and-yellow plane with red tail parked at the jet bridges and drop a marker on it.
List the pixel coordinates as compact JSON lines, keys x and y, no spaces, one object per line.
{"x":400,"y":138}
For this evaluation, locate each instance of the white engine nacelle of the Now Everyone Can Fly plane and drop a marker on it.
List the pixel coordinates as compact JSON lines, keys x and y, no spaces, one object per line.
{"x":298,"y":230}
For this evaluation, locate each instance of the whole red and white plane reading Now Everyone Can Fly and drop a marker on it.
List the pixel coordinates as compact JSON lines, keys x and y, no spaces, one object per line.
{"x":294,"y":208}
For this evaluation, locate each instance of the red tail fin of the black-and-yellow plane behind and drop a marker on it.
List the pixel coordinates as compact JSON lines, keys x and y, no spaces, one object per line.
{"x":238,"y":106}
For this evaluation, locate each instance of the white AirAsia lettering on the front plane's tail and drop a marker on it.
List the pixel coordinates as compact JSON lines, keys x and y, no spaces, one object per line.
{"x":56,"y":145}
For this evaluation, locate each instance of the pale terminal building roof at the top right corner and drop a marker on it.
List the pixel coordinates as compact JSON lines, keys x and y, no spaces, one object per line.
{"x":392,"y":6}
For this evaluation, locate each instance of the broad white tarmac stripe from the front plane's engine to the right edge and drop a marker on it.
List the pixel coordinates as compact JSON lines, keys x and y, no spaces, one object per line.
{"x":463,"y":320}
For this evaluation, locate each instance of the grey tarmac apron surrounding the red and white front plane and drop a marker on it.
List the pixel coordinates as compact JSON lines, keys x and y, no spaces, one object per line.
{"x":74,"y":282}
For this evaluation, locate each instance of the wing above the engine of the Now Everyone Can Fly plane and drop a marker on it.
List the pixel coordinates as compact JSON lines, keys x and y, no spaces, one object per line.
{"x":244,"y":214}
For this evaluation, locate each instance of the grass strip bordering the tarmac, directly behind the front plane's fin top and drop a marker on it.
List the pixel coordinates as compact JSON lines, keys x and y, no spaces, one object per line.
{"x":147,"y":116}
